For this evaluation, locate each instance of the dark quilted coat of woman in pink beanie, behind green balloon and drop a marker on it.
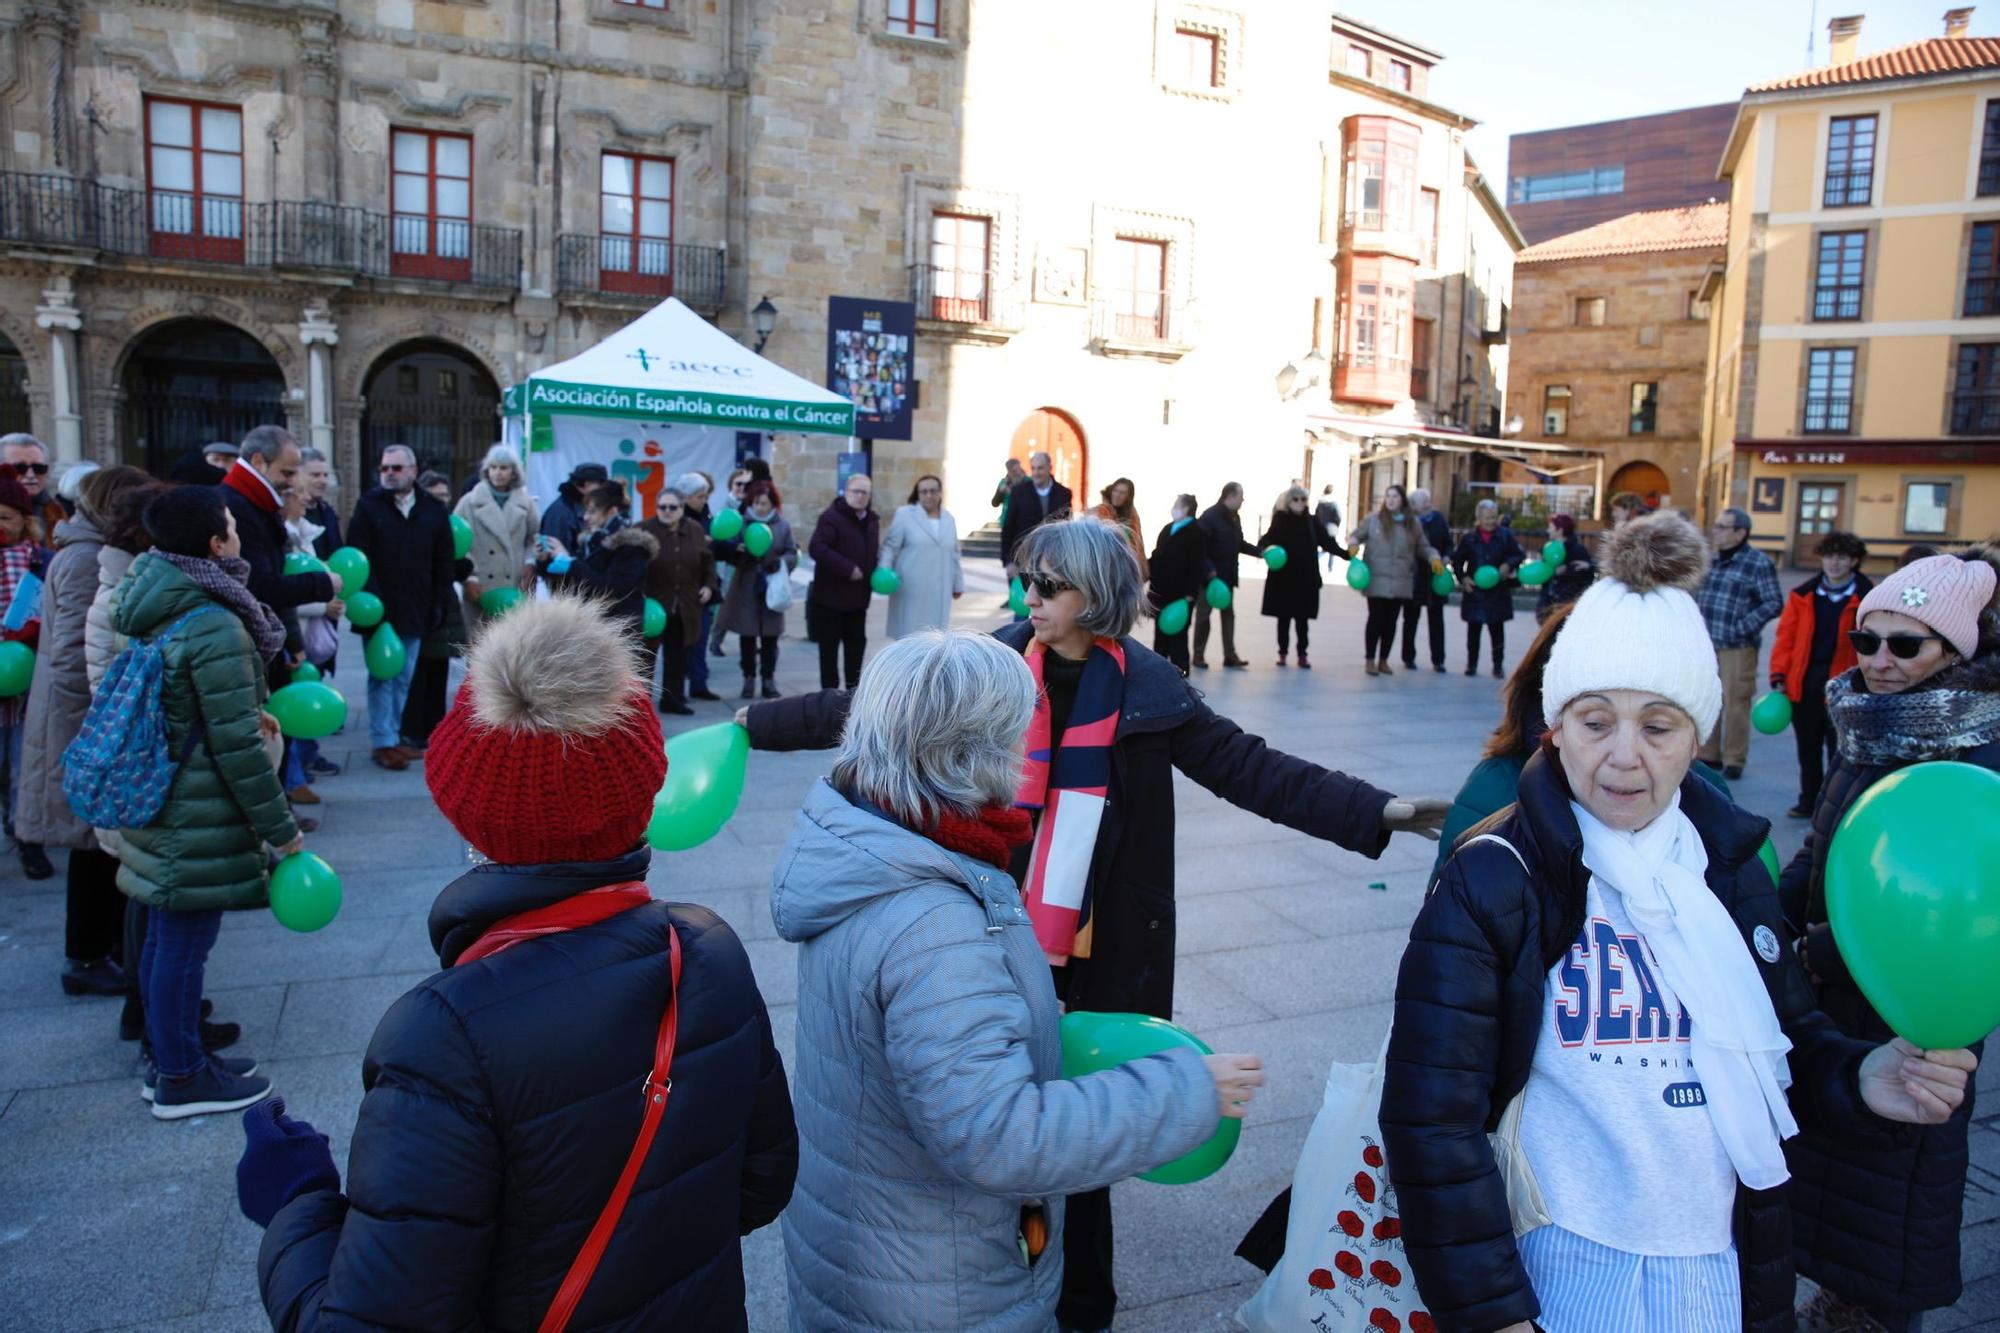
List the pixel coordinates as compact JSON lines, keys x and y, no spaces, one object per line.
{"x":1877,"y":1226}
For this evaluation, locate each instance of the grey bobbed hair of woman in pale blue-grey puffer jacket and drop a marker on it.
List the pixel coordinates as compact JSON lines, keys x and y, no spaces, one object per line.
{"x":937,"y":726}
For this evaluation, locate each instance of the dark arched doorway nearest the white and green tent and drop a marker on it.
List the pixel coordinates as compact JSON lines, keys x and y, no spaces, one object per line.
{"x":439,"y":401}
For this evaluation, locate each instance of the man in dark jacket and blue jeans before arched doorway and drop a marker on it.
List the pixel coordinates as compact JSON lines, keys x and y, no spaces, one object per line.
{"x":407,"y":537}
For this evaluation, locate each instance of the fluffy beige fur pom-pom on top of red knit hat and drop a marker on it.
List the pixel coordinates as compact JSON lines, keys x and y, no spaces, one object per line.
{"x":553,"y":668}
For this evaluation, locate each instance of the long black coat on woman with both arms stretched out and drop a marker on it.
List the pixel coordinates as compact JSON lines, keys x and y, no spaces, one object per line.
{"x":1165,"y":726}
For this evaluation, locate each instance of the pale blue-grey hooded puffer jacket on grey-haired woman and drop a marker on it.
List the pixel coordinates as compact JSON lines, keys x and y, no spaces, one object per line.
{"x":929,"y":1088}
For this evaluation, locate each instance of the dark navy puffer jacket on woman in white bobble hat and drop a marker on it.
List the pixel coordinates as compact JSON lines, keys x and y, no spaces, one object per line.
{"x":1471,"y":1006}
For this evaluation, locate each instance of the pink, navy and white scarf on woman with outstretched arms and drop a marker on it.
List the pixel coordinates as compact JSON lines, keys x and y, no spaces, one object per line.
{"x":1069,"y":786}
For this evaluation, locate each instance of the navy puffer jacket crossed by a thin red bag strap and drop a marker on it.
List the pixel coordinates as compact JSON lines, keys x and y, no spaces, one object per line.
{"x":503,"y":1102}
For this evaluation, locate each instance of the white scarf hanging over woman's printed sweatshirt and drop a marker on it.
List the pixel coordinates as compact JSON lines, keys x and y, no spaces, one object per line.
{"x":1737,"y":1044}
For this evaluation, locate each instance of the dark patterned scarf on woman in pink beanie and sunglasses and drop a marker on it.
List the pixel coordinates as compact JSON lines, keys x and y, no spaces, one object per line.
{"x":1955,"y":712}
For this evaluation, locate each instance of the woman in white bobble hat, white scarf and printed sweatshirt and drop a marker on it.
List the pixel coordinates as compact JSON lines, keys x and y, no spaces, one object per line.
{"x":1609,"y":954}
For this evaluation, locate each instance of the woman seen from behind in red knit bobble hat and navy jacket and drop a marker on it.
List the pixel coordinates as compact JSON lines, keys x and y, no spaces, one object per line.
{"x":519,"y":1112}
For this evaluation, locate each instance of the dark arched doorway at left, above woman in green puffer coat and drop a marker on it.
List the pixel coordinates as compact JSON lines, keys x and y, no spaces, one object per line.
{"x":191,"y":383}
